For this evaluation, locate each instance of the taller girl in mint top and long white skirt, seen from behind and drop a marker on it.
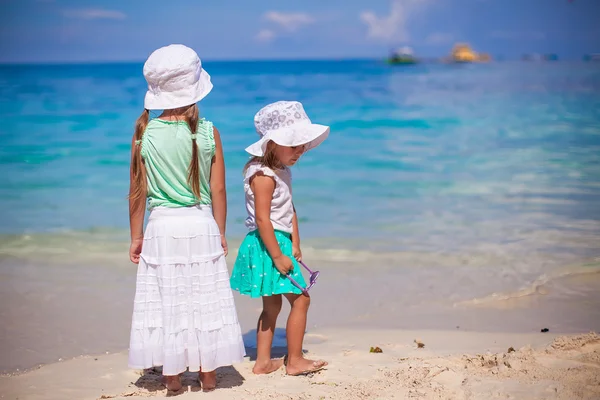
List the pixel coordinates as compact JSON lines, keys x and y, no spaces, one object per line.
{"x":184,"y":315}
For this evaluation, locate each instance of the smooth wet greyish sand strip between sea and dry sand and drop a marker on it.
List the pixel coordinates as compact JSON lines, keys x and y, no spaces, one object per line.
{"x":80,"y":309}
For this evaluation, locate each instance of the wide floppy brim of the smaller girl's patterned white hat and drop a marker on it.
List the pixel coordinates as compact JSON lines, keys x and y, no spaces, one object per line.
{"x":311,"y":135}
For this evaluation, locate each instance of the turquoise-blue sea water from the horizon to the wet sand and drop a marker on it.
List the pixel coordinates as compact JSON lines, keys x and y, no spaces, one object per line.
{"x":497,"y":163}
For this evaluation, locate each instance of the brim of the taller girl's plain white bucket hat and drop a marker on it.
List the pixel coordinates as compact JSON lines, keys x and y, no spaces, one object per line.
{"x":181,"y":98}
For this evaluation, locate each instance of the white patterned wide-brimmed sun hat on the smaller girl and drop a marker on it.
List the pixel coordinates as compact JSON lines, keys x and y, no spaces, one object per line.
{"x":286,"y":123}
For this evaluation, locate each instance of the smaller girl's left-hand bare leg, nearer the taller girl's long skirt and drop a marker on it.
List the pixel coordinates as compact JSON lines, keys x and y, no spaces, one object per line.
{"x":264,"y":336}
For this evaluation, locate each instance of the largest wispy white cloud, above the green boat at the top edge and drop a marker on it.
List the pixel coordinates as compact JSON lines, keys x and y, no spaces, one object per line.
{"x":393,"y":25}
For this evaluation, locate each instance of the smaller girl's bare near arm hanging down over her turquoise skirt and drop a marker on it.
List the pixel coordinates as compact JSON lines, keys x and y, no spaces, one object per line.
{"x":263,"y":188}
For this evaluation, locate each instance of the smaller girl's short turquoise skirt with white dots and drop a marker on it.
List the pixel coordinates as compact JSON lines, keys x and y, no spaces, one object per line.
{"x":254,"y":273}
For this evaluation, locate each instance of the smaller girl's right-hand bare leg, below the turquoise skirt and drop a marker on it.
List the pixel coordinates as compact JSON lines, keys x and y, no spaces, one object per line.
{"x":296,"y":326}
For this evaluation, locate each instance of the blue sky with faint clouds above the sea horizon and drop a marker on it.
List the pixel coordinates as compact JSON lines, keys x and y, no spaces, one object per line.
{"x":128,"y":30}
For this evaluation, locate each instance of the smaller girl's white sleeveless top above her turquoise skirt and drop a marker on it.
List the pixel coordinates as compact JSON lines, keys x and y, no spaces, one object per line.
{"x":282,"y":209}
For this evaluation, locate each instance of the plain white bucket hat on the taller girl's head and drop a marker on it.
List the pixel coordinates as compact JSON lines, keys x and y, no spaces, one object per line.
{"x":175,"y":78}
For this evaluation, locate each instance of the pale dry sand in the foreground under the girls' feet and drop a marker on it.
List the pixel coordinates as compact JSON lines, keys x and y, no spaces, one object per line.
{"x":452,"y":365}
